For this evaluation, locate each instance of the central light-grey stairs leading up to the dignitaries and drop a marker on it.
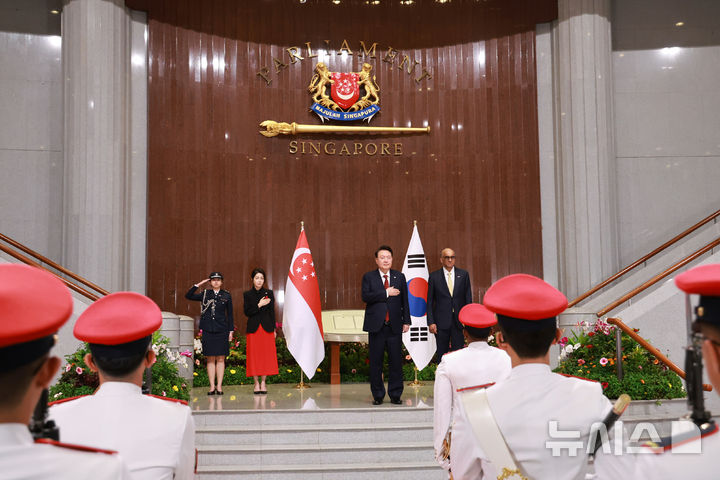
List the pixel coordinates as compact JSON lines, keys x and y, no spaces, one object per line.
{"x":343,"y":443}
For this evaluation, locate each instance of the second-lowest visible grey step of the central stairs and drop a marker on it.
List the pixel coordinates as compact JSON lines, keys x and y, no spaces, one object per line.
{"x":314,"y":454}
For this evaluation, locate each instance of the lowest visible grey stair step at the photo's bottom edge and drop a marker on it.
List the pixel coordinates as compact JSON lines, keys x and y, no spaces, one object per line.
{"x":307,"y":471}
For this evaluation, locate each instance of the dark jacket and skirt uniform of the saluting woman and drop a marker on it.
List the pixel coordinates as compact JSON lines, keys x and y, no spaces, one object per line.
{"x":216,"y":319}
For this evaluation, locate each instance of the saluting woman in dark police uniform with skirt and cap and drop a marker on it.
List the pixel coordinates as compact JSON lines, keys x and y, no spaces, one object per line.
{"x":216,"y":324}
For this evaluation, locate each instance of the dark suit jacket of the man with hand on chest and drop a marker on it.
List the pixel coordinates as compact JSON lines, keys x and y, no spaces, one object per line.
{"x":378,"y":303}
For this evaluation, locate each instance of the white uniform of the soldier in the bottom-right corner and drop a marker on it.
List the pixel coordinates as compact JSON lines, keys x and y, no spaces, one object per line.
{"x":674,"y":464}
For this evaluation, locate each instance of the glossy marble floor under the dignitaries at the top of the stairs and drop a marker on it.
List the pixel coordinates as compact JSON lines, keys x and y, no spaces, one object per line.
{"x":285,"y":396}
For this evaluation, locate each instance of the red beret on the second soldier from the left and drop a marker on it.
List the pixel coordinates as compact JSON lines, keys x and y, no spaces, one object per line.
{"x":118,"y":318}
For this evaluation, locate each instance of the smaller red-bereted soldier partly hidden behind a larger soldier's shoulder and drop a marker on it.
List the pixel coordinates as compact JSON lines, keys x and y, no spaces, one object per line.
{"x":476,"y":366}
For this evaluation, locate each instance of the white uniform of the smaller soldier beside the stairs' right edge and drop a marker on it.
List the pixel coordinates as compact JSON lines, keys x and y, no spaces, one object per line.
{"x":477,"y":364}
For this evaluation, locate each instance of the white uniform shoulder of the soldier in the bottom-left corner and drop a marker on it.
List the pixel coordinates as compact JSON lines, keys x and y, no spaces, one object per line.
{"x":21,"y":458}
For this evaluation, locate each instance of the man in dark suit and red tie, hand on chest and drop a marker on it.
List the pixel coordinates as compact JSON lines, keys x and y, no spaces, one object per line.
{"x":387,"y":316}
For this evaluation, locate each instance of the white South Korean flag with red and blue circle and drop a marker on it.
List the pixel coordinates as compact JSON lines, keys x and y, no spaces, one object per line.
{"x":419,"y":341}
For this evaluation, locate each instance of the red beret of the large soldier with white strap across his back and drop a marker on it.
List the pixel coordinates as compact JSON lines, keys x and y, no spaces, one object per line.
{"x":525,"y":297}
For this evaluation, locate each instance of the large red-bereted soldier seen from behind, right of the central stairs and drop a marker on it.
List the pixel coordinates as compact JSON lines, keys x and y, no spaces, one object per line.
{"x":514,"y":419}
